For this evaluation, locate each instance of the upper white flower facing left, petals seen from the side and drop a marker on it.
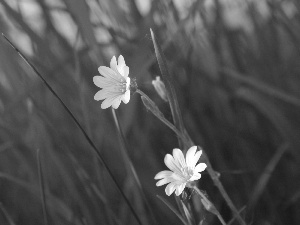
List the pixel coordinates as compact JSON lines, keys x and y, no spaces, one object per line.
{"x":114,"y":83}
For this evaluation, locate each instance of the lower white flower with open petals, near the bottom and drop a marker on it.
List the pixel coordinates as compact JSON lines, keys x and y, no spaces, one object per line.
{"x":183,"y":170}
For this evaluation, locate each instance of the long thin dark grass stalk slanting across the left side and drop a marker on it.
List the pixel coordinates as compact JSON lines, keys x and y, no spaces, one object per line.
{"x":99,"y":156}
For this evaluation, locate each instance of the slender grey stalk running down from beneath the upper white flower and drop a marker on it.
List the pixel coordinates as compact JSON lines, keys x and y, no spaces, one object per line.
{"x":128,"y":161}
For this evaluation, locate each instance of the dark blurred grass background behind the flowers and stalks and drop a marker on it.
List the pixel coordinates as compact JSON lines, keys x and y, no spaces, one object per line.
{"x":236,"y":70}
